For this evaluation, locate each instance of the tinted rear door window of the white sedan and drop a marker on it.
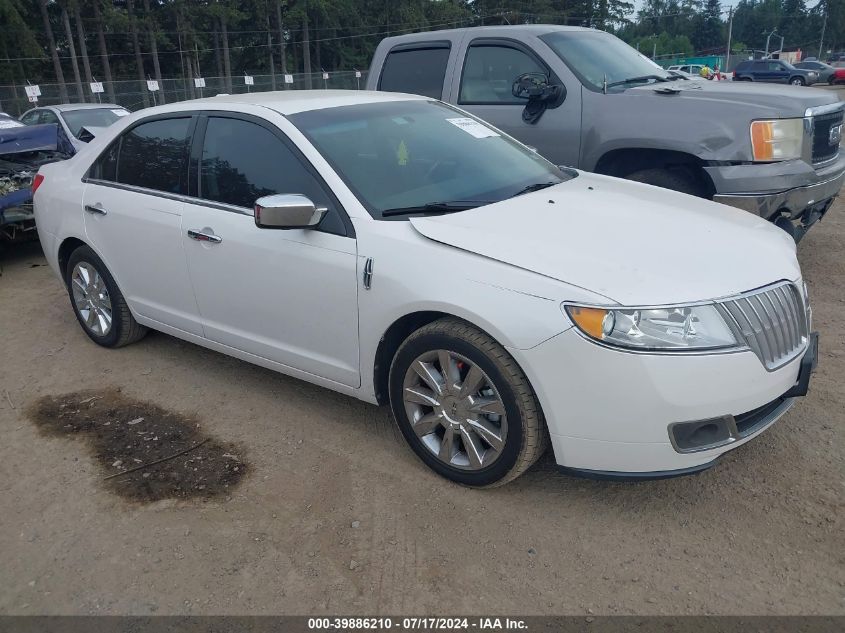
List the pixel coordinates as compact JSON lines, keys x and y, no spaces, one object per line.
{"x":154,"y":155}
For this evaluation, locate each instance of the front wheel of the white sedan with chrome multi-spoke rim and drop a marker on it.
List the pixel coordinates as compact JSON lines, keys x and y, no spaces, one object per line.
{"x":464,"y":406}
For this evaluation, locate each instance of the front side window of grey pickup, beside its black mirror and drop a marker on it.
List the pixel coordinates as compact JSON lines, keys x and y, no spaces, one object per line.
{"x":489,"y":72}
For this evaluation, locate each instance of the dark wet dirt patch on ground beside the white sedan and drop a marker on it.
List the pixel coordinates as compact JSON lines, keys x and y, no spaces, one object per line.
{"x":147,"y":453}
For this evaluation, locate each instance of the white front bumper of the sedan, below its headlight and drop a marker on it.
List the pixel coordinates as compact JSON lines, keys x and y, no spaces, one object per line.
{"x":610,"y":412}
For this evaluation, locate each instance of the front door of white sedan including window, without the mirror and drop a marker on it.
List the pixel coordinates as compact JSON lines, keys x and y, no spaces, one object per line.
{"x":289,"y":296}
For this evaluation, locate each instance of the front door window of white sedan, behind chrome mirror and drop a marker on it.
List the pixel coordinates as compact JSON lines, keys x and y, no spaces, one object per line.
{"x":243,"y":161}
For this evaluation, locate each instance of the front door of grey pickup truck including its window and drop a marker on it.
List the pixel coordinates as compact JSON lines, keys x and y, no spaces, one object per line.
{"x":490,"y":67}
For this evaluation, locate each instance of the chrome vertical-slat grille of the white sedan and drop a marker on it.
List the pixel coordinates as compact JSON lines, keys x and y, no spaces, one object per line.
{"x":772,"y":321}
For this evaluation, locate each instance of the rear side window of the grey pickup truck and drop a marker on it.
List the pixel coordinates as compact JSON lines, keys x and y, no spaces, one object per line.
{"x":417,"y":71}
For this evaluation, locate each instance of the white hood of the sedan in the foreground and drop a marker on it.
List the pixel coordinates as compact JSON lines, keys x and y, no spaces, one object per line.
{"x":633,"y":243}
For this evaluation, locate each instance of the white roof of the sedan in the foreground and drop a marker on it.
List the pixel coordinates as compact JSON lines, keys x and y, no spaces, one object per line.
{"x":292,"y":101}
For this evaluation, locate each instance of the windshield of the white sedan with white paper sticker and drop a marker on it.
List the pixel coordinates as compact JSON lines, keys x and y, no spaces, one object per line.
{"x":401,"y":155}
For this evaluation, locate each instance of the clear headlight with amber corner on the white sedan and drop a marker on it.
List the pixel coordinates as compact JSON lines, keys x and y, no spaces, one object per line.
{"x":668,"y":328}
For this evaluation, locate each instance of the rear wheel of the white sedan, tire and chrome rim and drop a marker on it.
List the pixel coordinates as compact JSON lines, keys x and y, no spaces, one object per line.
{"x":98,"y":303}
